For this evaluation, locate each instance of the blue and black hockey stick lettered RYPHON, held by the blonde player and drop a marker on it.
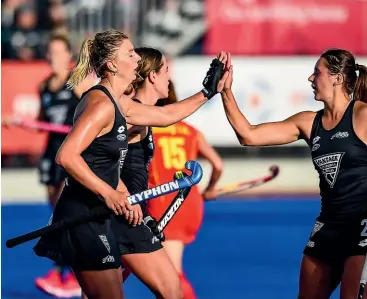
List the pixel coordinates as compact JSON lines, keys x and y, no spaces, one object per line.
{"x":103,"y":211}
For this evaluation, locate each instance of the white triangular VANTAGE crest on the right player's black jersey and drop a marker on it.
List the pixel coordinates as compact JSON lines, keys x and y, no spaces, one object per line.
{"x":329,"y":165}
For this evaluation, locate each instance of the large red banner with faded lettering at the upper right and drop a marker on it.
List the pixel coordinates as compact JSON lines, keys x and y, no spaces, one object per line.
{"x":281,"y":27}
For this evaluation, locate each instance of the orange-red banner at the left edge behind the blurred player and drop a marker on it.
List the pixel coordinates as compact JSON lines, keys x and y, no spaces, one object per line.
{"x":19,"y":96}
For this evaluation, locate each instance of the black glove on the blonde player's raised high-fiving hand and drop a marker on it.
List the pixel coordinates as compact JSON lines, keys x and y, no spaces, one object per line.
{"x":212,"y":78}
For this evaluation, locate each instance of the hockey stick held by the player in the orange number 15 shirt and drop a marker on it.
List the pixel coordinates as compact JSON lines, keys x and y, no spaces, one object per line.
{"x":233,"y":188}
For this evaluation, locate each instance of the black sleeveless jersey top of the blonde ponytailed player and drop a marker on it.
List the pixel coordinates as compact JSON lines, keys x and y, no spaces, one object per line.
{"x":106,"y":154}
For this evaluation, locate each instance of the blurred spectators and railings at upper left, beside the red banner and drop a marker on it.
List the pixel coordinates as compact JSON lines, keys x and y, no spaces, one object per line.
{"x":27,"y":24}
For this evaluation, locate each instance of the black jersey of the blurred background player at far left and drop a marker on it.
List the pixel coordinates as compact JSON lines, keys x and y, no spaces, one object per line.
{"x":57,"y":106}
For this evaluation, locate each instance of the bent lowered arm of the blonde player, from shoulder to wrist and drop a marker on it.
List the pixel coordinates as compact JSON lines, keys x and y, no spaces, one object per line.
{"x":95,"y":117}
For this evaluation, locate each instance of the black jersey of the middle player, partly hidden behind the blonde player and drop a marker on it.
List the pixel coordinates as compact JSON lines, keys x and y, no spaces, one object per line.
{"x":135,"y":171}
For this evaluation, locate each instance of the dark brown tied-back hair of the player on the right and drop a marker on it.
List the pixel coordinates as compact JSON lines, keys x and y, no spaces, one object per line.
{"x":342,"y":61}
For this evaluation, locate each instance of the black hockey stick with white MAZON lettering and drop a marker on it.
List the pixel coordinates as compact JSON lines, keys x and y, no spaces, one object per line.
{"x":168,"y":214}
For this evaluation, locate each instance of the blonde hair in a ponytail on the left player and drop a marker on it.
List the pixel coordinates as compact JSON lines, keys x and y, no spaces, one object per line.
{"x":94,"y":55}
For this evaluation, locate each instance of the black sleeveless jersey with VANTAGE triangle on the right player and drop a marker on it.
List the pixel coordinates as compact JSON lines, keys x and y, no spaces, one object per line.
{"x":340,"y":158}
